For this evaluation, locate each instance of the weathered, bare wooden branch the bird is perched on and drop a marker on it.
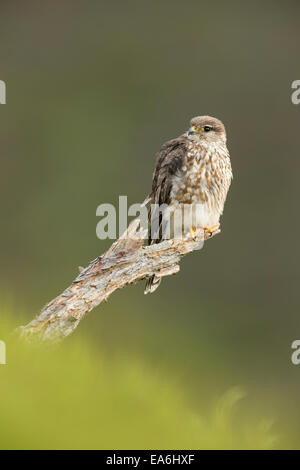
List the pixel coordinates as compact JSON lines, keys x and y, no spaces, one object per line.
{"x":126,"y":262}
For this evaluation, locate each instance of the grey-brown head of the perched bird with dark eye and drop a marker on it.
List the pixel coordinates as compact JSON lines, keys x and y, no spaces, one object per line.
{"x":206,"y":129}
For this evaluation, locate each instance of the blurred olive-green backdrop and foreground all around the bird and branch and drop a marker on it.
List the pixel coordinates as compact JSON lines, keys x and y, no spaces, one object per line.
{"x":93,"y":89}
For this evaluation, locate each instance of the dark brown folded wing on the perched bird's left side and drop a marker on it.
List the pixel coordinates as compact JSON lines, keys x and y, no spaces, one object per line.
{"x":168,"y":162}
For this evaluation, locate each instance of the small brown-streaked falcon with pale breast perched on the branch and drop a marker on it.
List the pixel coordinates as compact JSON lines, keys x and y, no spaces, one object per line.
{"x":190,"y":183}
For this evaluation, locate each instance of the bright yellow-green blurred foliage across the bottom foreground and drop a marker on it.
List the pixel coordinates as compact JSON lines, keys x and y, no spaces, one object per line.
{"x":71,"y":397}
